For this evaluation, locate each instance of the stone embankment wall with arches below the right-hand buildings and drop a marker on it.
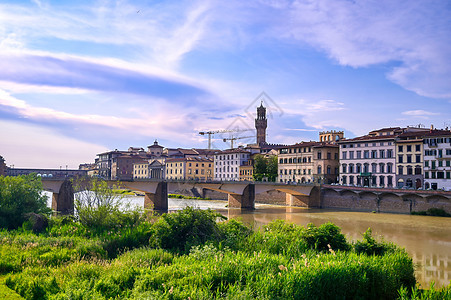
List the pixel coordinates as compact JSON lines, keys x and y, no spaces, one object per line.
{"x":385,"y":202}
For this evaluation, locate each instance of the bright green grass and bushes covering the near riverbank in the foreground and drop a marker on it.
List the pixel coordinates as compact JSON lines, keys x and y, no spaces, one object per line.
{"x":192,"y":254}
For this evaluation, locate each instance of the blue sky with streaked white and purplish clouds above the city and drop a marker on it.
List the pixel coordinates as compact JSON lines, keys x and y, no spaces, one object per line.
{"x":78,"y":78}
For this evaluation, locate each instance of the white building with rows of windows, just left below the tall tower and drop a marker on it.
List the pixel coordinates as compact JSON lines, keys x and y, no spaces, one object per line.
{"x":227,"y":164}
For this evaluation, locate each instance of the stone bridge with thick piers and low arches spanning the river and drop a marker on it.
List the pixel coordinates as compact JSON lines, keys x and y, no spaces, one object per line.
{"x":240,"y":194}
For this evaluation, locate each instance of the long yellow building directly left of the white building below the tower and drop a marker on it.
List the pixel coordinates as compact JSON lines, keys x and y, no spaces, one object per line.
{"x":190,"y":168}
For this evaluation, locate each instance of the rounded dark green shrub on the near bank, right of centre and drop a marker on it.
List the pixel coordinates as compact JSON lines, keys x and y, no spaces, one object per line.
{"x":325,"y":237}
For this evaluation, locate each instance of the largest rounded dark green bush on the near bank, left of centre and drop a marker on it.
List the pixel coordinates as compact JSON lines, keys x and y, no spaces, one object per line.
{"x":181,"y":230}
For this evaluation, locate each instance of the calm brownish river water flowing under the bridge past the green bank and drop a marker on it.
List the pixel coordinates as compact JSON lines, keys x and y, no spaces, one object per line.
{"x":426,"y":239}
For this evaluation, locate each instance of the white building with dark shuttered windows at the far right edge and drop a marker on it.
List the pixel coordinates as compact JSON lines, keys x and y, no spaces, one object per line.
{"x":437,"y":160}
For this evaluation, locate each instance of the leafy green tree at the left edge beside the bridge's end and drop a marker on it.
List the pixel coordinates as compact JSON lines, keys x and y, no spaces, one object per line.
{"x":20,"y":196}
